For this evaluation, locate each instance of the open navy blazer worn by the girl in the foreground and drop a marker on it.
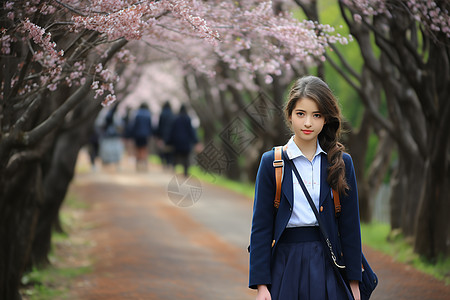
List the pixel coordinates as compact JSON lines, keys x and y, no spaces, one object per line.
{"x":268,"y":226}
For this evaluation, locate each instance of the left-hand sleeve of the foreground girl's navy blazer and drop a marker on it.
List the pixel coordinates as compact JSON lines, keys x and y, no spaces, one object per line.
{"x":262,"y":223}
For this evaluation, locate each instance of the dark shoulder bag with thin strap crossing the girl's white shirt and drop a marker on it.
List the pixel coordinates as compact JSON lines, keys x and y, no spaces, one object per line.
{"x":369,"y":278}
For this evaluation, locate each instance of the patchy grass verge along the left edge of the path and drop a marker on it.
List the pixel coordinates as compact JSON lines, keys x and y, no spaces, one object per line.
{"x":67,"y":259}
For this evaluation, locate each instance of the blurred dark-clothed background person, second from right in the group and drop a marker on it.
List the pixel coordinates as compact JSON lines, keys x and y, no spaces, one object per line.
{"x":165,"y":123}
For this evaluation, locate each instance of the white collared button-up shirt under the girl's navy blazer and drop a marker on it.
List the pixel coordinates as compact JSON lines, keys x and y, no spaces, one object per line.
{"x":302,"y":214}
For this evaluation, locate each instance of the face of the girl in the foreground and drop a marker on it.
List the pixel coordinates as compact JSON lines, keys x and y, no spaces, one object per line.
{"x":307,"y":121}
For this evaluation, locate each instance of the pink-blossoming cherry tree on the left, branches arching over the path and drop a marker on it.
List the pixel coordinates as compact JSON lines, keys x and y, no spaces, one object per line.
{"x":60,"y":59}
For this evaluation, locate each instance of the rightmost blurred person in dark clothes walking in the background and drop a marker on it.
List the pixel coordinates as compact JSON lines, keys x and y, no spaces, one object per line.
{"x":182,"y":138}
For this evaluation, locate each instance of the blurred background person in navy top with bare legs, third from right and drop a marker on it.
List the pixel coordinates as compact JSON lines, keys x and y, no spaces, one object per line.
{"x":142,"y":132}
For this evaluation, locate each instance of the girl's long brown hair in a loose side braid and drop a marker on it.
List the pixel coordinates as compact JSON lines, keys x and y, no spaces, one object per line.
{"x":316,"y":89}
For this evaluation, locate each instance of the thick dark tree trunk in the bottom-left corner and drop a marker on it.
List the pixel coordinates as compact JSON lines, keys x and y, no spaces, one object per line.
{"x":18,"y":215}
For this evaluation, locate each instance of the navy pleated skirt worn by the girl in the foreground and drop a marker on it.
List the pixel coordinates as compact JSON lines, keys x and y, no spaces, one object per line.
{"x":302,"y":271}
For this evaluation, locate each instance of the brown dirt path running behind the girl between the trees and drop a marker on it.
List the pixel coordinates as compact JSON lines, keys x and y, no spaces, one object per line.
{"x":146,"y":247}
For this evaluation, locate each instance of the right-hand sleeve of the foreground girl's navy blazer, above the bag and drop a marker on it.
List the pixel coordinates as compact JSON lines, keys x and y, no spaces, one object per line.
{"x":349,"y":224}
